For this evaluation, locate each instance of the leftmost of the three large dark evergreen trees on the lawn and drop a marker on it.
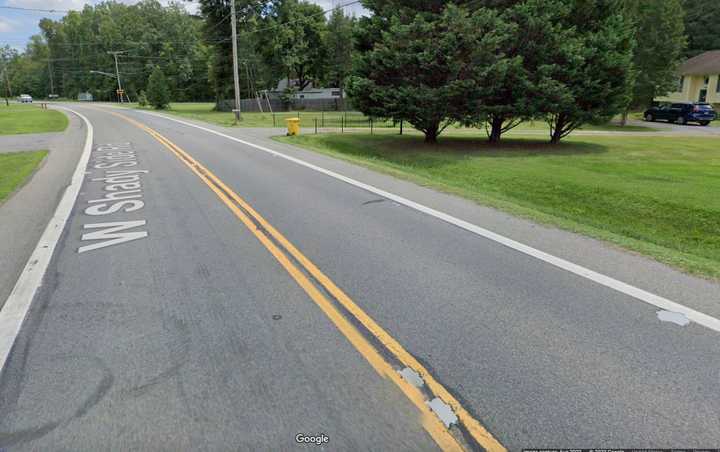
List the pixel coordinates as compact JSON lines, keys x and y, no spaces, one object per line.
{"x":422,"y":67}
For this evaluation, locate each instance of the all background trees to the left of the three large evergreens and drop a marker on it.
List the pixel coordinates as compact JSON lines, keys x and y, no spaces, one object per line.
{"x":277,"y":39}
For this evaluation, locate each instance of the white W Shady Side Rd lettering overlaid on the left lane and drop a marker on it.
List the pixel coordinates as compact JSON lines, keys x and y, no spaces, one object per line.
{"x":122,"y":181}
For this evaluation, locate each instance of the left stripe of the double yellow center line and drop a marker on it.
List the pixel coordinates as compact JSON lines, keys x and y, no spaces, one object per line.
{"x":429,"y":421}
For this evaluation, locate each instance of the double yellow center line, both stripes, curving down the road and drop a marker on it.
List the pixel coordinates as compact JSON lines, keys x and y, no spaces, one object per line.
{"x":282,"y":250}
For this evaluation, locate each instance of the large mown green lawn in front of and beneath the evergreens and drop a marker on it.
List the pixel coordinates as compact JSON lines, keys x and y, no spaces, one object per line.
{"x":654,"y":195}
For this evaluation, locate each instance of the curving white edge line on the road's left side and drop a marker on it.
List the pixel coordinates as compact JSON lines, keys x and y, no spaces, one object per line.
{"x":16,"y":307}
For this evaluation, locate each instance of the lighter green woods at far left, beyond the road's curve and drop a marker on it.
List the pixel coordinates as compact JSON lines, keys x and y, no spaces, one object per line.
{"x":72,"y":53}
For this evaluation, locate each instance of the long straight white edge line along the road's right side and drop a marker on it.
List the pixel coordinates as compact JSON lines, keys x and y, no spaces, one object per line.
{"x":607,"y":281}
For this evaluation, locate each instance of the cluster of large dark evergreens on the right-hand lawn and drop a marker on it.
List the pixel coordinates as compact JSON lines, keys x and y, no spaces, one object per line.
{"x":496,"y":63}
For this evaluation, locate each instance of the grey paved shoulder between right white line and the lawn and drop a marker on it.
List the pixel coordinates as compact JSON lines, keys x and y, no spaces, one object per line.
{"x":642,"y":272}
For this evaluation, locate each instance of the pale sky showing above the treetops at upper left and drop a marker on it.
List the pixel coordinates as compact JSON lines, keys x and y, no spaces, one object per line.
{"x":17,"y":26}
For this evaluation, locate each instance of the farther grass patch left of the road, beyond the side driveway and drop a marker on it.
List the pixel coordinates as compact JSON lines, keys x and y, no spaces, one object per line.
{"x":30,"y":119}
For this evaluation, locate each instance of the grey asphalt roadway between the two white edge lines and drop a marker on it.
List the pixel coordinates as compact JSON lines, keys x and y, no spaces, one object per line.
{"x":185,"y":332}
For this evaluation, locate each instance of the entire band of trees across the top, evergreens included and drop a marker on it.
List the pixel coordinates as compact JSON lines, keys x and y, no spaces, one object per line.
{"x":482,"y":63}
